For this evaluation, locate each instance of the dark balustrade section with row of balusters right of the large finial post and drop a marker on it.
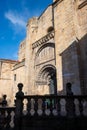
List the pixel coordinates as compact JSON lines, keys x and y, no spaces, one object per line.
{"x":50,"y":105}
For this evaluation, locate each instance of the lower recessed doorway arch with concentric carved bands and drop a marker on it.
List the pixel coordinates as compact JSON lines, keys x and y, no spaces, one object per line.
{"x":47,"y":74}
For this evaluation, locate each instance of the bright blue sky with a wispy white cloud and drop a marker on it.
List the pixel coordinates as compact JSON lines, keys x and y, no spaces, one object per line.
{"x":14,"y":15}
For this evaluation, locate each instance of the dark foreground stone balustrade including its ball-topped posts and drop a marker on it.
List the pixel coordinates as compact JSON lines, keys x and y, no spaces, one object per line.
{"x":66,"y":107}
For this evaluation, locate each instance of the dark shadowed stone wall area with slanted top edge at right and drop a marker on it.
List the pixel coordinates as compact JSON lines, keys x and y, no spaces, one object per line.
{"x":74,"y":66}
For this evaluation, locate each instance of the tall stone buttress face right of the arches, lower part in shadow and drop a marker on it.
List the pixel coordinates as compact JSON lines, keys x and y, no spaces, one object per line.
{"x":64,"y":40}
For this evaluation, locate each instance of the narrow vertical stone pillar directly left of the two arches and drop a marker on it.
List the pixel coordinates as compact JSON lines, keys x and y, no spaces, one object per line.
{"x":32,"y":24}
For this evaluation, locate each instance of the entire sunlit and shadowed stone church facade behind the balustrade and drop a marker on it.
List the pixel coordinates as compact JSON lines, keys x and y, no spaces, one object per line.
{"x":53,"y":53}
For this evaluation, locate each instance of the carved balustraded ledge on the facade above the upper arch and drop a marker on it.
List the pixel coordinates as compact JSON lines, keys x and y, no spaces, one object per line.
{"x":43,"y":40}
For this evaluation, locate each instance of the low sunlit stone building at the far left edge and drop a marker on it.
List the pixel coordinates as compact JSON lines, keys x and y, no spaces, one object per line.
{"x":6,"y":76}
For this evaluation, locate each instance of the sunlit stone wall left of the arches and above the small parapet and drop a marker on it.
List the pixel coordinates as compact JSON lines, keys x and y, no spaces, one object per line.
{"x":36,"y":29}
